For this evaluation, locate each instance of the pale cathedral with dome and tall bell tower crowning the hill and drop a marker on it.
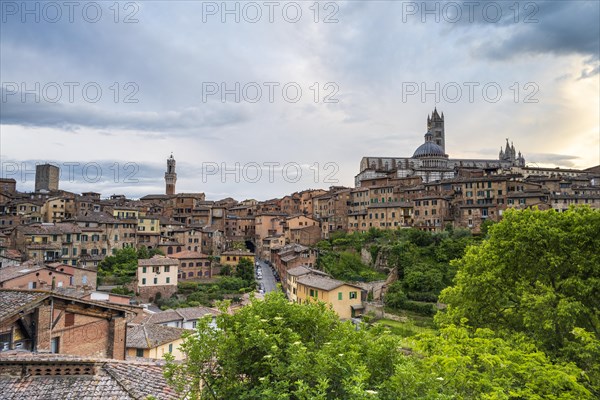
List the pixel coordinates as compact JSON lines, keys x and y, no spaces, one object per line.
{"x":430,"y":161}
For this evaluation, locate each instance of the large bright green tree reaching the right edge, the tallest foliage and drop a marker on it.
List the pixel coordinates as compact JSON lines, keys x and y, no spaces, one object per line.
{"x":537,"y":274}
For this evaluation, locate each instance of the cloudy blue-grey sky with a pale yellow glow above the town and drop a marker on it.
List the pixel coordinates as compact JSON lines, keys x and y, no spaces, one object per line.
{"x":260,"y":99}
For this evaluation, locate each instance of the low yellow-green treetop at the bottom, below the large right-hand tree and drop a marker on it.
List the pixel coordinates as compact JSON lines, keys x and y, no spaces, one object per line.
{"x":479,"y":365}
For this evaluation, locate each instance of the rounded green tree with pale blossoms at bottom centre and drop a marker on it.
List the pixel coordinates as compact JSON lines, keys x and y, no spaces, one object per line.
{"x":275,"y":349}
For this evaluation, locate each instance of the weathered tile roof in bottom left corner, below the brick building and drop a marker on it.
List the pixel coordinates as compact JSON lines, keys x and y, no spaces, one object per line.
{"x":87,"y":378}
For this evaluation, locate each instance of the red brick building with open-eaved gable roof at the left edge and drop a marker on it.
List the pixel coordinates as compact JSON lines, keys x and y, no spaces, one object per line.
{"x":42,"y":321}
